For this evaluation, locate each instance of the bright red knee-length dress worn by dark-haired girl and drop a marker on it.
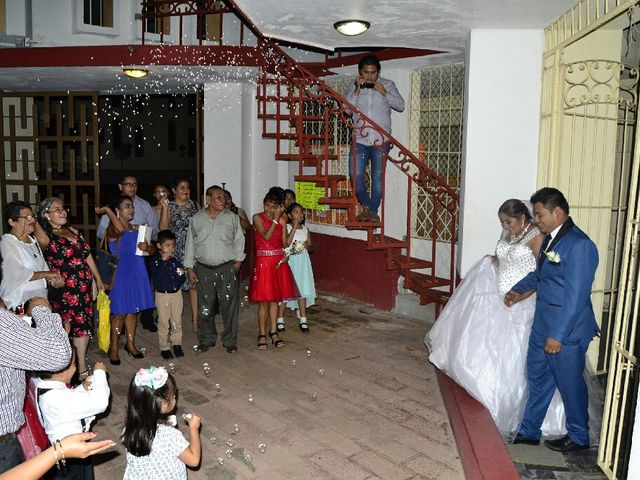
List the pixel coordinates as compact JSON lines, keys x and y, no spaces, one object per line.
{"x":268,"y":283}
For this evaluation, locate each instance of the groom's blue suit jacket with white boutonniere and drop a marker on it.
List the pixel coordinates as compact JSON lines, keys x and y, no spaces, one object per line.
{"x":563,"y":309}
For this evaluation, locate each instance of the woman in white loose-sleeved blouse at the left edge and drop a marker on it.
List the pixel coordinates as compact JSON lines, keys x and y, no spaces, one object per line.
{"x":25,"y":273}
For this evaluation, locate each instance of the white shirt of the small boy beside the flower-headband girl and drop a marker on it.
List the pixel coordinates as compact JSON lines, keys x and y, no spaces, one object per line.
{"x":62,"y":410}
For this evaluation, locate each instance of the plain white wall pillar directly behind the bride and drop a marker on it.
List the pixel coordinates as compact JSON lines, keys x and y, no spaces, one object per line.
{"x":500,"y":145}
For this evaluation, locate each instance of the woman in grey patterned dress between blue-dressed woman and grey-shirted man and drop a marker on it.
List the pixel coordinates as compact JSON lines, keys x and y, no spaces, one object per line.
{"x":175,"y":216}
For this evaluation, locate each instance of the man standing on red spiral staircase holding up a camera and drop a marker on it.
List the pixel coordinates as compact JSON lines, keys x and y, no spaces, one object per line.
{"x":373,"y":96}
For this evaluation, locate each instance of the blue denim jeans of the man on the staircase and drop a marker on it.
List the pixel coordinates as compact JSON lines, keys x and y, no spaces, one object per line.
{"x":365,"y":154}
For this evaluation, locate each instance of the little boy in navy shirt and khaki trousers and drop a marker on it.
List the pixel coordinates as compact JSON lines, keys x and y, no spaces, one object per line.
{"x":168,"y":275}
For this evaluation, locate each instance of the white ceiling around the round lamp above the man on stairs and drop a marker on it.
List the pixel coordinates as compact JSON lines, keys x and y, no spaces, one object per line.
{"x":431,"y":24}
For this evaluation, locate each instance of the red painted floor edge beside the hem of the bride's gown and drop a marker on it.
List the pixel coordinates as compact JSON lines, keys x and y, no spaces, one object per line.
{"x":482,"y":451}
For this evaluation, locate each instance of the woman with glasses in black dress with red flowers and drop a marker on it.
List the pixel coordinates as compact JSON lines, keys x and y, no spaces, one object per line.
{"x":68,"y":253}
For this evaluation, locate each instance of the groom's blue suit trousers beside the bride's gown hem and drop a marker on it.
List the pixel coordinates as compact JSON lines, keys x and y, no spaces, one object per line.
{"x":565,"y":370}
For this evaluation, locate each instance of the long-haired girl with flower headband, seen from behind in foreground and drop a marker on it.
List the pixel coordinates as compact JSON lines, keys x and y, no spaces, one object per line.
{"x":154,"y":448}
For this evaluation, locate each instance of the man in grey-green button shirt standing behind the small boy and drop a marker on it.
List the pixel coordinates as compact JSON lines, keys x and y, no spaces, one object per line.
{"x":213,"y":255}
